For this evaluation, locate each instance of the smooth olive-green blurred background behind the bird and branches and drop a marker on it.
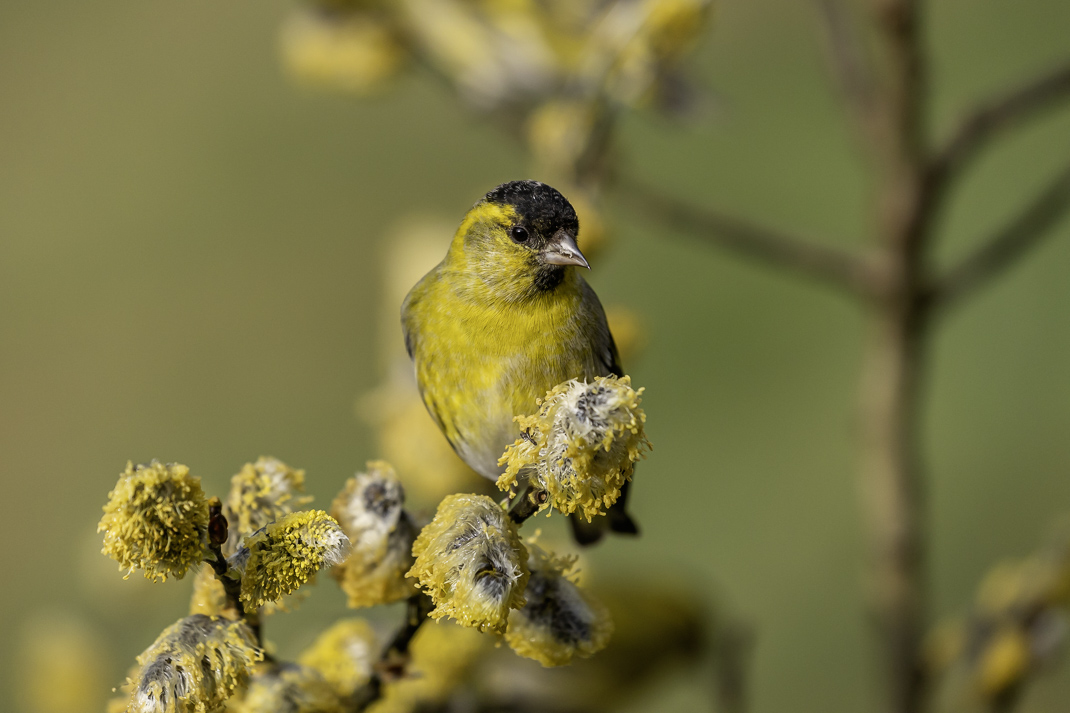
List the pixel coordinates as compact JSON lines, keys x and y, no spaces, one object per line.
{"x":190,"y":270}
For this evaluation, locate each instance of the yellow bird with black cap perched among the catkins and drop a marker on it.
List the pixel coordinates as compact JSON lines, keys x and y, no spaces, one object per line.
{"x":505,"y":318}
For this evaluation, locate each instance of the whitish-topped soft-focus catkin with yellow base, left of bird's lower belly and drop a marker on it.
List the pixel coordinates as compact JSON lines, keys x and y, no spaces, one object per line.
{"x":371,"y":510}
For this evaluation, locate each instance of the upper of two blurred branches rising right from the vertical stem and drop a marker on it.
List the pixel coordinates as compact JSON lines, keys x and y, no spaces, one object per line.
{"x":996,"y":116}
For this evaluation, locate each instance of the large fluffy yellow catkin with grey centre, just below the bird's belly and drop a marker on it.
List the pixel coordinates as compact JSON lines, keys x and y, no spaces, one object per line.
{"x":470,"y":560}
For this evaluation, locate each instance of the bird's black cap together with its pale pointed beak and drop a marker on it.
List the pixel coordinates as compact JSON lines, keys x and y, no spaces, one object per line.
{"x":548,"y":222}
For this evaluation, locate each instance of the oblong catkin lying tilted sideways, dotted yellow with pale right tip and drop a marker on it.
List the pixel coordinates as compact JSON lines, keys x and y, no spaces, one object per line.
{"x":282,"y":557}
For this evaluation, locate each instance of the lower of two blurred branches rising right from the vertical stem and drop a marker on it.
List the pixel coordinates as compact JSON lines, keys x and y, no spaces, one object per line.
{"x":1023,"y":233}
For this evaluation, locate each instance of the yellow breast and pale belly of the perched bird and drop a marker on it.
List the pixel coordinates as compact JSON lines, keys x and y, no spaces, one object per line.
{"x":481,"y":362}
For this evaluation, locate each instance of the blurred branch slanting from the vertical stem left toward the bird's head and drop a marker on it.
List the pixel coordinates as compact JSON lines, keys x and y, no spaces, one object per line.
{"x":844,"y":270}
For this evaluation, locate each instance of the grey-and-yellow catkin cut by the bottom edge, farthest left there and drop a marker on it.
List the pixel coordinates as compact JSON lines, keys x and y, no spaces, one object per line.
{"x":194,"y":668}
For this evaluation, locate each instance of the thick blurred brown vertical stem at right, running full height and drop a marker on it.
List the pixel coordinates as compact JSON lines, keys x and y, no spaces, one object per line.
{"x":891,"y":472}
